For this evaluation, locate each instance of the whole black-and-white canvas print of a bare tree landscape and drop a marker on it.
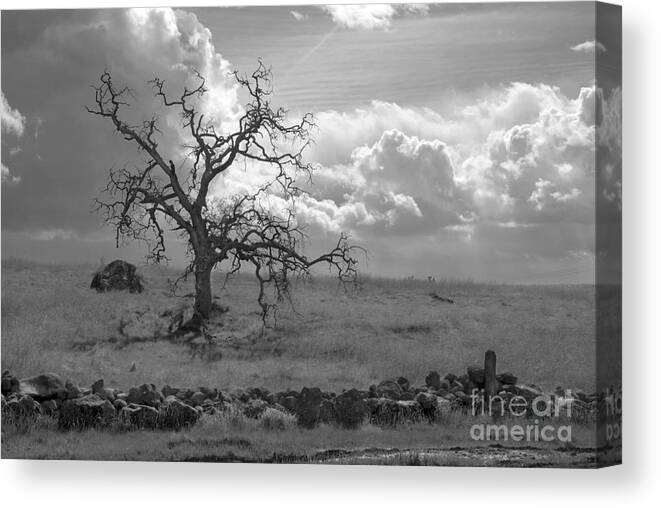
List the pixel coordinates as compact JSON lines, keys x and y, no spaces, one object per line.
{"x":321,"y":234}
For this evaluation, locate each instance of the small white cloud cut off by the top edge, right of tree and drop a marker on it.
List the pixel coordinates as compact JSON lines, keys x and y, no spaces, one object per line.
{"x":371,"y":16}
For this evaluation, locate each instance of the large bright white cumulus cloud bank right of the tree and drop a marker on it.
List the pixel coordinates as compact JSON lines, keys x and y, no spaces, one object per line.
{"x":520,"y":155}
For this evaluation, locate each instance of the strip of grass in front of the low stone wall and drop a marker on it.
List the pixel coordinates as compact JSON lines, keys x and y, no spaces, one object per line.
{"x":232,"y":437}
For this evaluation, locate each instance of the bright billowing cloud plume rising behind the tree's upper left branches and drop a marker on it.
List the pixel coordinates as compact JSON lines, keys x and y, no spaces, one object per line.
{"x":138,"y":44}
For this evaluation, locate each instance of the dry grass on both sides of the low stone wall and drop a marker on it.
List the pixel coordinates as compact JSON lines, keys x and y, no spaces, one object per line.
{"x":53,"y":322}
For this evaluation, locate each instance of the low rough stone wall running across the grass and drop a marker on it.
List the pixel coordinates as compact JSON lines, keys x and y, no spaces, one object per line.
{"x":388,"y":403}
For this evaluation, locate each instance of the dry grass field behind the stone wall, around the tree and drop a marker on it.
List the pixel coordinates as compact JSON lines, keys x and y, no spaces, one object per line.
{"x":334,"y":340}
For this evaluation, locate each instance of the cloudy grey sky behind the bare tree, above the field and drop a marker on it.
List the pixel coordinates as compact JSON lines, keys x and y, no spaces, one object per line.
{"x":453,"y":141}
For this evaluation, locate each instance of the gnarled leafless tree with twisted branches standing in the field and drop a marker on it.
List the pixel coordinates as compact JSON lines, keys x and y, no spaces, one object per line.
{"x":144,"y":202}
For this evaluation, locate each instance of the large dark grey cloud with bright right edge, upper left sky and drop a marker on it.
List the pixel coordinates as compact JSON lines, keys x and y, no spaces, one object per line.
{"x":135,"y":45}
